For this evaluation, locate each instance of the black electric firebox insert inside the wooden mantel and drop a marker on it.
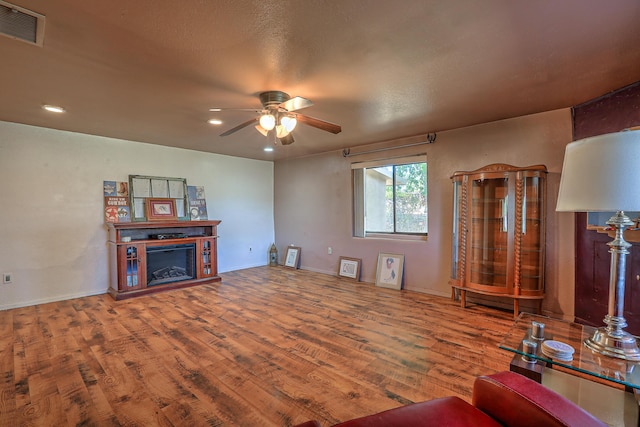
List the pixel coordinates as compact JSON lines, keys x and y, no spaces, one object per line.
{"x":170,"y":263}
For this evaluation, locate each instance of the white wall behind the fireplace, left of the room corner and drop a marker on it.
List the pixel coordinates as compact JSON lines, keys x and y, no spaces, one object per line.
{"x":52,"y":234}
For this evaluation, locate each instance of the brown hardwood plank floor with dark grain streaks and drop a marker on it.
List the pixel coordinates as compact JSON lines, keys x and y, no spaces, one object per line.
{"x":267,"y":346}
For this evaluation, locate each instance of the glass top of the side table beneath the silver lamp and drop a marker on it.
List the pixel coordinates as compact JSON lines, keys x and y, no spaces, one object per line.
{"x":530,"y":360}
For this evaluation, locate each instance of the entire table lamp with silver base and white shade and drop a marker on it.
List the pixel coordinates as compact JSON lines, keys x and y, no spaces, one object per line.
{"x":602,"y":174}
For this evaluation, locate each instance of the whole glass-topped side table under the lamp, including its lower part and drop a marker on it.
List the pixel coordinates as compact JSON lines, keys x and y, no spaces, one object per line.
{"x":607,"y":387}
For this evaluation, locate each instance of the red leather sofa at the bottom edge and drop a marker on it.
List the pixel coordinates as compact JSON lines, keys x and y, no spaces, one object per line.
{"x":499,"y":400}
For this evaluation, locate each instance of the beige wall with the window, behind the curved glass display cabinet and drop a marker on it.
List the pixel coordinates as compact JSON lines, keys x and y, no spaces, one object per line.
{"x":313,"y":207}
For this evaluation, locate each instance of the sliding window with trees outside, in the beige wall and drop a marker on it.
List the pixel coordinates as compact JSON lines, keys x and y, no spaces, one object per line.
{"x":390,"y":197}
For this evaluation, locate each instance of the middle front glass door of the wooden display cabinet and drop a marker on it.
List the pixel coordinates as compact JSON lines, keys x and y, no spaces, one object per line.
{"x":489,"y":231}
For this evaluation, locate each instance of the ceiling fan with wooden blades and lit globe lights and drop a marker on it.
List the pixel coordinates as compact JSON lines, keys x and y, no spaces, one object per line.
{"x":278,"y":117}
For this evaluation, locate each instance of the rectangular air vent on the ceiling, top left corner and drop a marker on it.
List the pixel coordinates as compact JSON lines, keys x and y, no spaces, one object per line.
{"x":21,"y":24}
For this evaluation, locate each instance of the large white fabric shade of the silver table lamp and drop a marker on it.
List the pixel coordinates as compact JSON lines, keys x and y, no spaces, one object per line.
{"x":601,"y":174}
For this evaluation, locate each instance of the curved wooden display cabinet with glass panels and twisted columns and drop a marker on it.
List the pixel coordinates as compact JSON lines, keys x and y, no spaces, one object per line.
{"x":498,"y":233}
